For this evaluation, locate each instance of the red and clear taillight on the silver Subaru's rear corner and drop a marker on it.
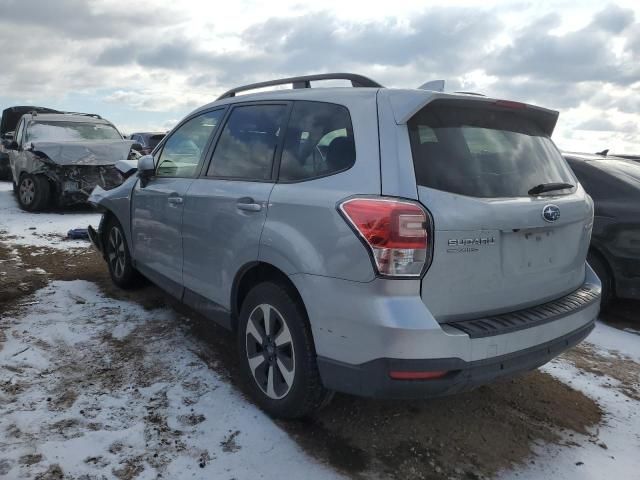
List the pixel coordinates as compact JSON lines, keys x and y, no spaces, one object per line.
{"x":395,"y":231}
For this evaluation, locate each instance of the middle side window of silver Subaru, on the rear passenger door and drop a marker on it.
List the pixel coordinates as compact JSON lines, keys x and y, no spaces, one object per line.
{"x":248,"y":143}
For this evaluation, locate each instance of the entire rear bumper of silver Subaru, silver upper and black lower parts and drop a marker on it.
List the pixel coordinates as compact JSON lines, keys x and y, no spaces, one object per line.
{"x":368,"y":329}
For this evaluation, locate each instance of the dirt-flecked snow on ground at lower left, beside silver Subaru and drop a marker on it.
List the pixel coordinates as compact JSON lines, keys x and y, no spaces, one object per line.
{"x":102,"y":388}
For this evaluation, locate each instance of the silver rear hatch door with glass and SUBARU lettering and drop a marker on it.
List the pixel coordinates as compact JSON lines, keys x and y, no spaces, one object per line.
{"x":497,"y":247}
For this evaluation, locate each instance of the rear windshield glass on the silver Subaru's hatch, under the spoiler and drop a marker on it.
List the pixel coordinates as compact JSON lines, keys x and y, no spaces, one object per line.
{"x":483,"y":152}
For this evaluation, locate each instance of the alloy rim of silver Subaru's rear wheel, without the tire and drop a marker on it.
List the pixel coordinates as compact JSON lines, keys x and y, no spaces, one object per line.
{"x":270,"y":351}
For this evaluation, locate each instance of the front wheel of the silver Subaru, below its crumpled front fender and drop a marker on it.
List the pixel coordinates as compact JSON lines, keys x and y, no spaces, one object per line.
{"x":116,"y":251}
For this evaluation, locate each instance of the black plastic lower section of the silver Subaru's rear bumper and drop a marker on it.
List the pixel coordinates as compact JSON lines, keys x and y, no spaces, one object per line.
{"x":372,"y":379}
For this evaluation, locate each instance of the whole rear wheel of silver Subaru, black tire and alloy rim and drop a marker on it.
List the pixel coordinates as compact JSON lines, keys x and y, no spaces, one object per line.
{"x":277,"y":354}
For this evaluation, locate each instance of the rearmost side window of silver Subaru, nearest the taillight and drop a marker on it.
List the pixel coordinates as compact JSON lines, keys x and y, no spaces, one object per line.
{"x":319,"y":142}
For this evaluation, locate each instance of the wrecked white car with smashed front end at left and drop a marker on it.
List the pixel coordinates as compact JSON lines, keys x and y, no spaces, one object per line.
{"x":58,"y":159}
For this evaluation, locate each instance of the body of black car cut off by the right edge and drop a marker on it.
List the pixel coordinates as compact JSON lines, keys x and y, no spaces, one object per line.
{"x":614,"y":185}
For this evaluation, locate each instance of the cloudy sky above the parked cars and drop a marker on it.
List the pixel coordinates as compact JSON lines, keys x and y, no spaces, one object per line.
{"x":145,"y":64}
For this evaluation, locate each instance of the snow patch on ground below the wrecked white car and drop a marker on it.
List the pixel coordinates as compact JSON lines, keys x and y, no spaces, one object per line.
{"x":40,"y":229}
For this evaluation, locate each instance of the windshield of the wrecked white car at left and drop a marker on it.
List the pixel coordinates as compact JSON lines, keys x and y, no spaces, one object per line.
{"x":70,"y":132}
